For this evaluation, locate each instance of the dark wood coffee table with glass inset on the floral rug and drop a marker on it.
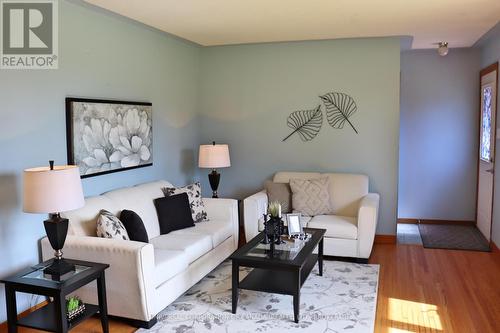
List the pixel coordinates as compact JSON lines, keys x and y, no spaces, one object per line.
{"x":282,"y":273}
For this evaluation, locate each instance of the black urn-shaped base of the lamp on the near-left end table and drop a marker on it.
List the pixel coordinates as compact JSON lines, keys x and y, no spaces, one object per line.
{"x":56,"y":228}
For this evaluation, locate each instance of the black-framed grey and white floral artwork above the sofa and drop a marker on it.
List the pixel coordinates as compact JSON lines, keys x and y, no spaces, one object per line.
{"x":105,"y":136}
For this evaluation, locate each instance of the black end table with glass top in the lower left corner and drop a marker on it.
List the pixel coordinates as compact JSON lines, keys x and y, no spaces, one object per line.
{"x":52,"y":317}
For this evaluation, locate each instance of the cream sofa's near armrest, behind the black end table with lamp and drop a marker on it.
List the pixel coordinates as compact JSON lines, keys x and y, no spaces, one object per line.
{"x":129,"y":278}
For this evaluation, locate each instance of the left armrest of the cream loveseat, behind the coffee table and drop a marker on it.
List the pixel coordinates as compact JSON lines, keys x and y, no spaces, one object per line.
{"x":254,"y":207}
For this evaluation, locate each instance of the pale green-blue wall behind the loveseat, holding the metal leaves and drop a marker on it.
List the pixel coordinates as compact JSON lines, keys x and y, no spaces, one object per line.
{"x":248,"y":91}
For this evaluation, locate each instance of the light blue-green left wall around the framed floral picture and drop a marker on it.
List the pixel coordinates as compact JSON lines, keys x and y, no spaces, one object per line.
{"x":101,"y":55}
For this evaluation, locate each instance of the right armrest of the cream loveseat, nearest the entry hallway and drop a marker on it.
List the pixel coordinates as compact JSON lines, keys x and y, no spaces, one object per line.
{"x":367,"y":223}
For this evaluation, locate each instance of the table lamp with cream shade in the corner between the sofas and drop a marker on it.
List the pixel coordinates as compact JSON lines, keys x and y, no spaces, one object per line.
{"x":211,"y":157}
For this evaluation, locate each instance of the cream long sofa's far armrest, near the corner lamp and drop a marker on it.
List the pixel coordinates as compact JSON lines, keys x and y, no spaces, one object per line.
{"x":224,"y":209}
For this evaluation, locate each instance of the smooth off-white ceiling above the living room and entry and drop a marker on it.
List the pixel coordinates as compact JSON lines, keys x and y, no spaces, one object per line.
{"x":220,"y":22}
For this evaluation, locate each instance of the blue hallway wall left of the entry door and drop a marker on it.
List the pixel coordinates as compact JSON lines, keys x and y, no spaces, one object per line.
{"x":438,"y":134}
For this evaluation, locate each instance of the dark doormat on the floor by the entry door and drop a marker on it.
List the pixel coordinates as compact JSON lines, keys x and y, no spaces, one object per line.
{"x":453,"y":237}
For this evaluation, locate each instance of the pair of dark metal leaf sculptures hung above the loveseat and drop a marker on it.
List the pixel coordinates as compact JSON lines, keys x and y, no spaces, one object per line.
{"x":307,"y":123}
